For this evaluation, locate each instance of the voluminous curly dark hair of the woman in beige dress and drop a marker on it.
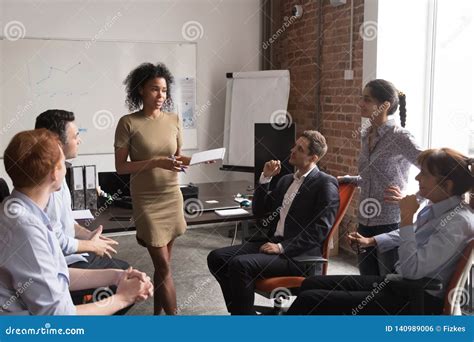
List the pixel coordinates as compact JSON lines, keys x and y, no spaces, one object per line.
{"x":137,"y":79}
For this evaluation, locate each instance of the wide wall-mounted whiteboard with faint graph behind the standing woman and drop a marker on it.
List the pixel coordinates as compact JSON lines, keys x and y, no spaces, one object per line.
{"x":84,"y":77}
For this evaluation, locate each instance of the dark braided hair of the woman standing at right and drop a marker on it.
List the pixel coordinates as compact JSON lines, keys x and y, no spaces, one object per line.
{"x":382,"y":91}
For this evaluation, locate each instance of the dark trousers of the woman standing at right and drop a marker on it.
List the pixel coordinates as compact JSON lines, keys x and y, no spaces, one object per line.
{"x":371,"y":262}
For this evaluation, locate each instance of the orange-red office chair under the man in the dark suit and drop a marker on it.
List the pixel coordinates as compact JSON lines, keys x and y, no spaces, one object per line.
{"x":280,"y":289}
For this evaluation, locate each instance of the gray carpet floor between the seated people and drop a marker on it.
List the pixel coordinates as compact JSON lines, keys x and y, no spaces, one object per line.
{"x":198,"y":293}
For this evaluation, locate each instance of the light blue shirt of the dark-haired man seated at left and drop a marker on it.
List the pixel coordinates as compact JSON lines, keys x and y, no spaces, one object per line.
{"x":59,"y":212}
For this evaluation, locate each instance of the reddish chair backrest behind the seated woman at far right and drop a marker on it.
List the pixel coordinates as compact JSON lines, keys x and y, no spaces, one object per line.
{"x":455,"y":294}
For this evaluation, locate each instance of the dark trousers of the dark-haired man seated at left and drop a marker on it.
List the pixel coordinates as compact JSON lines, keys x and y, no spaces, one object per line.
{"x":95,"y":262}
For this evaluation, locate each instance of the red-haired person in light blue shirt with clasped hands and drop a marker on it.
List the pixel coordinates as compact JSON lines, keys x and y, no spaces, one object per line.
{"x":34,"y":277}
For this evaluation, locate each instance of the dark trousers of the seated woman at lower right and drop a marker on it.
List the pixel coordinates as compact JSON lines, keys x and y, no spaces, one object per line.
{"x":355,"y":295}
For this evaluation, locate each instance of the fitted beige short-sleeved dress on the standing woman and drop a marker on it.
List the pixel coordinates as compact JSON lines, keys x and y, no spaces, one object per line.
{"x":156,"y":197}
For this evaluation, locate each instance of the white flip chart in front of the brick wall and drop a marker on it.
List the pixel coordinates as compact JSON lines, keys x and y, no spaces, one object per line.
{"x":253,"y":97}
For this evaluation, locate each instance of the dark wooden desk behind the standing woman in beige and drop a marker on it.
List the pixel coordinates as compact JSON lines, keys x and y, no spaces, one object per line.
{"x":104,"y":215}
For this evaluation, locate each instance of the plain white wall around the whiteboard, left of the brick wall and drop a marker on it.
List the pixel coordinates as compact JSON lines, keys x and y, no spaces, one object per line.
{"x":230,"y":41}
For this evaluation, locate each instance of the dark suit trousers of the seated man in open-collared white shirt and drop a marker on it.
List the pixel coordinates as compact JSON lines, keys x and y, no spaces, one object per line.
{"x":237,"y":268}
